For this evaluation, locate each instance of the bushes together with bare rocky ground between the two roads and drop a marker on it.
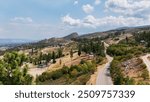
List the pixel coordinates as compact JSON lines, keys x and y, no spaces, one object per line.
{"x":127,"y":68}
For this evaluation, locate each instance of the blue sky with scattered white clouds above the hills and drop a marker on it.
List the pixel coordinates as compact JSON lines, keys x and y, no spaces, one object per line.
{"x":40,"y":19}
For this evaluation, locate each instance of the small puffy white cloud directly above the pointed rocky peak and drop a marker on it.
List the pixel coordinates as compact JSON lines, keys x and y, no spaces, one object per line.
{"x":71,"y":21}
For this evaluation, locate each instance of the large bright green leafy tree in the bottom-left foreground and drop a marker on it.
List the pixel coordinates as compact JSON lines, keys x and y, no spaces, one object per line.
{"x":10,"y":70}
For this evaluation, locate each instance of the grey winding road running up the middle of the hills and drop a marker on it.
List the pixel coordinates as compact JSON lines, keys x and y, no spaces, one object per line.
{"x":104,"y":77}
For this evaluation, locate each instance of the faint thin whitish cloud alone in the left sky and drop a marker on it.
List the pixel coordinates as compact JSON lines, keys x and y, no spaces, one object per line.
{"x":22,"y":20}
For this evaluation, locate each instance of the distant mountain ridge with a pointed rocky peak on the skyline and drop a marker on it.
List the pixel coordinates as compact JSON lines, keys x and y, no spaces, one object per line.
{"x":66,"y":39}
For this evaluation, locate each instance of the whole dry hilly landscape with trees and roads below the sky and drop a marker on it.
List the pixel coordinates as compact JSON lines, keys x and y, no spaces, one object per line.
{"x":115,"y":57}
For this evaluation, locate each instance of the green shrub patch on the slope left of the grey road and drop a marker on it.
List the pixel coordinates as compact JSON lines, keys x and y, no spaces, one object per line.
{"x":74,"y":75}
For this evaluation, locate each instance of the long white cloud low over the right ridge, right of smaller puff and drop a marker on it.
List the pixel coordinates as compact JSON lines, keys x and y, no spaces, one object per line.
{"x":112,"y":21}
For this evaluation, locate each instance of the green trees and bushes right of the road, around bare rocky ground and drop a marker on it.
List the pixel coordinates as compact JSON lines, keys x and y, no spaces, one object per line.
{"x":125,"y":50}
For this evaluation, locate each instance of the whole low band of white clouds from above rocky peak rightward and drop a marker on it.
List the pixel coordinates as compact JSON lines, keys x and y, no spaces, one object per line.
{"x":110,"y":21}
